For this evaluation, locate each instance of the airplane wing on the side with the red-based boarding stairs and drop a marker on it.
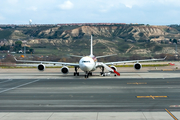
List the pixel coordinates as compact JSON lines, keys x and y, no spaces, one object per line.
{"x":132,"y":61}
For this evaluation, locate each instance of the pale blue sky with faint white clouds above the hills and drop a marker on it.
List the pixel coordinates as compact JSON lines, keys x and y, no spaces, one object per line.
{"x":153,"y":12}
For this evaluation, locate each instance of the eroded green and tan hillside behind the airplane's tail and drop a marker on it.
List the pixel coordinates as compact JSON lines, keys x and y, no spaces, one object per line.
{"x":123,"y":40}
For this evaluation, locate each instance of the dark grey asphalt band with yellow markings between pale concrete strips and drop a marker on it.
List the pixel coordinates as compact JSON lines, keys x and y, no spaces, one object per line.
{"x":89,"y":95}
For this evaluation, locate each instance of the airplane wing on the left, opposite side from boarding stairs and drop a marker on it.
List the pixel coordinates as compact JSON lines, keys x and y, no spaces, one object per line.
{"x":48,"y":62}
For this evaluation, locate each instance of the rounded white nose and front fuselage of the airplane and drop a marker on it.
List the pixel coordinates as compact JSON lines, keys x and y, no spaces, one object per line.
{"x":87,"y":63}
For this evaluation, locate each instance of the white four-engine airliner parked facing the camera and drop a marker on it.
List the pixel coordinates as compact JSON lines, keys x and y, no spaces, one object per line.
{"x":88,"y":64}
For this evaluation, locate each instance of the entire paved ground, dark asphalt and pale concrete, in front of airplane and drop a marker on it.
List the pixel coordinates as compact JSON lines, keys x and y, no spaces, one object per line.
{"x":141,"y":95}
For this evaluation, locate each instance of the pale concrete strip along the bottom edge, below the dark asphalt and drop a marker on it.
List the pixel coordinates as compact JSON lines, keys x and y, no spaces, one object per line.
{"x":88,"y":116}
